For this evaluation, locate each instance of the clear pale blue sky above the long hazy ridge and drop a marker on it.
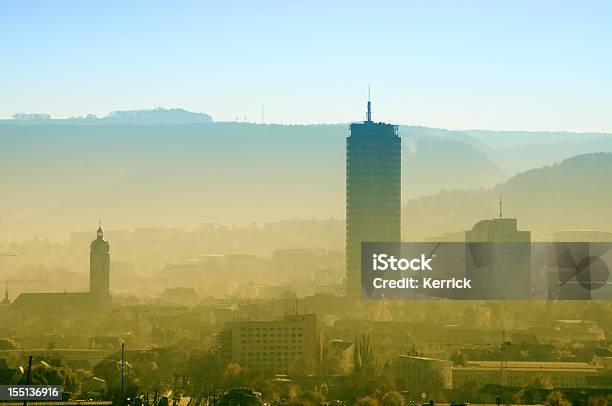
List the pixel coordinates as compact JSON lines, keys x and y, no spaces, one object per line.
{"x":457,"y":64}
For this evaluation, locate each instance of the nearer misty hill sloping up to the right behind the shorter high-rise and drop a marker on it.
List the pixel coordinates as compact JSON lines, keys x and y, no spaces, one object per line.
{"x":570,"y":195}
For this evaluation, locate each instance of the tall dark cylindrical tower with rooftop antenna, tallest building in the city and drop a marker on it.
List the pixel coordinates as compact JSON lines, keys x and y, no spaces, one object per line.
{"x":373,"y":191}
